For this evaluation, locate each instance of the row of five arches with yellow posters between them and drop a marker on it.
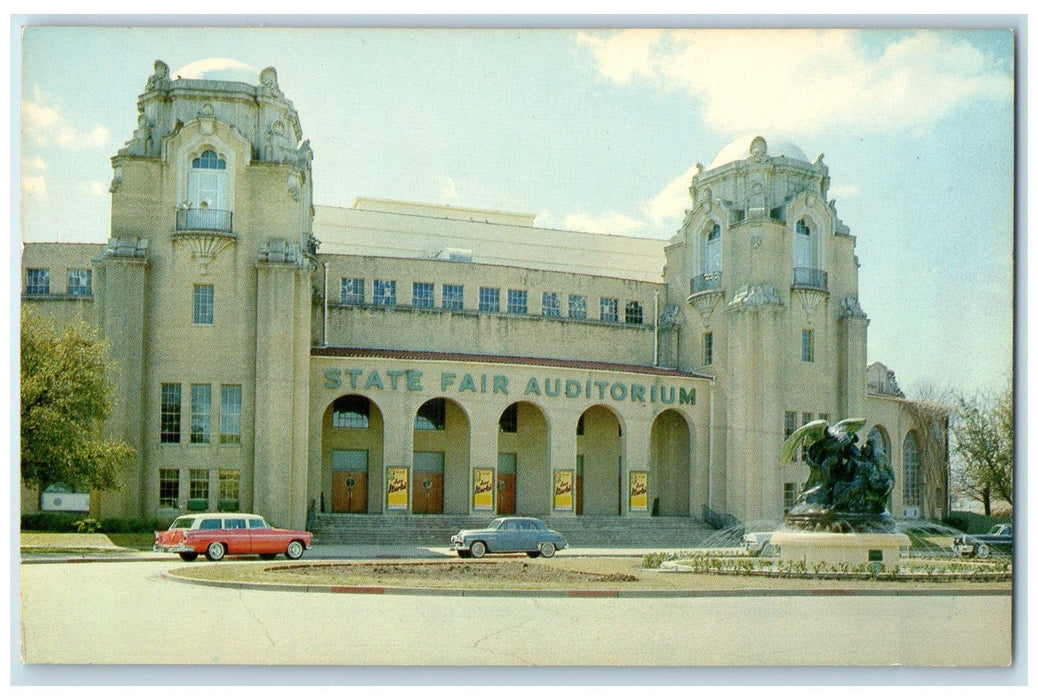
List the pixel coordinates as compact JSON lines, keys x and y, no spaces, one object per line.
{"x":445,"y":477}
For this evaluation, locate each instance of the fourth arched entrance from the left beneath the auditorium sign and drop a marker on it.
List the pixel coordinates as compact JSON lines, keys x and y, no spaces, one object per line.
{"x":599,"y":480}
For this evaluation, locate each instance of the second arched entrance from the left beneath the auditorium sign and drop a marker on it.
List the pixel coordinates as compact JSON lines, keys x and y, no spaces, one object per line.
{"x":441,"y":461}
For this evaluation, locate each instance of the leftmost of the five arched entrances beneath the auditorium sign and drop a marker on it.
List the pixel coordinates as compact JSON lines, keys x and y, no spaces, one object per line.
{"x":351,"y":456}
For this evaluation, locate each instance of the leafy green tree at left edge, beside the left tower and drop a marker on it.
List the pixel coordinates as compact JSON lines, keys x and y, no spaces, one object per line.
{"x":66,"y":398}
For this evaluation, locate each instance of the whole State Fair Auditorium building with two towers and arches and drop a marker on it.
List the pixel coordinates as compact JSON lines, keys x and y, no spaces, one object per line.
{"x":278,"y":357}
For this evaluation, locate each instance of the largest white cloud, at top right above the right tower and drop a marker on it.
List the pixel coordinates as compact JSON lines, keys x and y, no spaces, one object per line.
{"x":806,"y":79}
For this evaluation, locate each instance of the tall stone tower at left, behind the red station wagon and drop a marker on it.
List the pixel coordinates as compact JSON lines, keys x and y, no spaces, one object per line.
{"x":211,"y":246}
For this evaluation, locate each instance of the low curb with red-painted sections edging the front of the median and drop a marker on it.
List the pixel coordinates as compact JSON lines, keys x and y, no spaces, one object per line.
{"x":579,"y":594}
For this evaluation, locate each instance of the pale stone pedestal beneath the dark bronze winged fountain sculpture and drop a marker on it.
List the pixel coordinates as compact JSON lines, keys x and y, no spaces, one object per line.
{"x":835,"y":549}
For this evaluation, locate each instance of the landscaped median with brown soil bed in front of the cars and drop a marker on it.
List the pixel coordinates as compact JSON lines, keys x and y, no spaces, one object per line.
{"x":579,"y":577}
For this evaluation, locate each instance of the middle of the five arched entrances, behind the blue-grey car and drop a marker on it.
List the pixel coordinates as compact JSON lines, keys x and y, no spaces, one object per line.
{"x":524,"y":481}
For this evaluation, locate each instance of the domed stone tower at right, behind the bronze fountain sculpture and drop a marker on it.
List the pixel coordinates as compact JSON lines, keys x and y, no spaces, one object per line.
{"x":769,"y":279}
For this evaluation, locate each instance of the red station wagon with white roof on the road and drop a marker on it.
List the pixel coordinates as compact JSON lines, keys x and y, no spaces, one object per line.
{"x":218,"y":534}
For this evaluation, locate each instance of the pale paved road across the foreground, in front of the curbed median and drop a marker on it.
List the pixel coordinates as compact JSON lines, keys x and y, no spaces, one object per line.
{"x":125,"y":612}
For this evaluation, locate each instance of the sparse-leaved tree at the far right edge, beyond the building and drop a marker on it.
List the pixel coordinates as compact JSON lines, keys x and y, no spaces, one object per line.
{"x":984,"y":433}
